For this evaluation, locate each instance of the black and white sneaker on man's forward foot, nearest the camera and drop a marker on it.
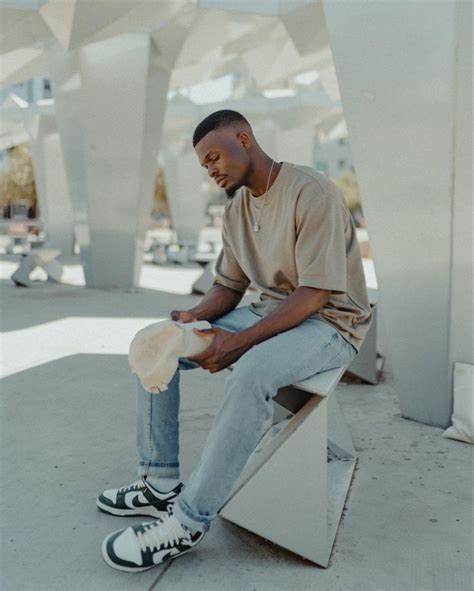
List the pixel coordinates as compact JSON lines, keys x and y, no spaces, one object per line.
{"x":141,"y":547}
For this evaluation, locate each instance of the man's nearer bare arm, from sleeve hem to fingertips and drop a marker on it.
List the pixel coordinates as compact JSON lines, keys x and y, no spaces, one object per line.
{"x":228,"y":347}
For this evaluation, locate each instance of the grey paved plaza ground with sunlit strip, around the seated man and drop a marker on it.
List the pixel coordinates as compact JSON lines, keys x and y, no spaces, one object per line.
{"x":68,"y":432}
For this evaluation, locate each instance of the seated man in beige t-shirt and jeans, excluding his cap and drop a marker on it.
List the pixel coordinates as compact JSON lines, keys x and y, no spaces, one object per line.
{"x":289,"y":232}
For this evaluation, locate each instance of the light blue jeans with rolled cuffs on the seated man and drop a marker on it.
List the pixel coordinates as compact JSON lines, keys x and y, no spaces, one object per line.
{"x":291,"y":356}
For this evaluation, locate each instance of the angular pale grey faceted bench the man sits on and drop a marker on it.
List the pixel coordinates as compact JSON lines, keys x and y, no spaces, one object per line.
{"x":293,"y":488}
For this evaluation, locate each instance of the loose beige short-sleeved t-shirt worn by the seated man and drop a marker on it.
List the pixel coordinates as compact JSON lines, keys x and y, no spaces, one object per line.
{"x":307,"y":238}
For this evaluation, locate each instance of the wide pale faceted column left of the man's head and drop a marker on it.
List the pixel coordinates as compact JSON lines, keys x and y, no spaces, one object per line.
{"x":123,"y":96}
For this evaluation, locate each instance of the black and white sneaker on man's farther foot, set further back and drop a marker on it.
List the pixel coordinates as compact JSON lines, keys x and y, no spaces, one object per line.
{"x":138,"y":498}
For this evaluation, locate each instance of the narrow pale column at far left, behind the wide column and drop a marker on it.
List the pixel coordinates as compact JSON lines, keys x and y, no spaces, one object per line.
{"x":51,"y":184}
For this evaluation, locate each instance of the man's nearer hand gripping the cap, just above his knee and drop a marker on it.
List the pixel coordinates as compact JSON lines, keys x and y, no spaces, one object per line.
{"x":226,"y":348}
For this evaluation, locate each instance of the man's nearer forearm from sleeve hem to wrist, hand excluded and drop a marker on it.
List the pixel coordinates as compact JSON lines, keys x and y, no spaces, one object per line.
{"x":298,"y":306}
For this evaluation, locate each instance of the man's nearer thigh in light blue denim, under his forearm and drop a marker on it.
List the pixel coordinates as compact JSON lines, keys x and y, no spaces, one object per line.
{"x":291,"y":356}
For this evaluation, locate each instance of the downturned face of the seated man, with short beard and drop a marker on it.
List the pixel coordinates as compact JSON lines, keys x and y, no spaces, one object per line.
{"x":224,"y":155}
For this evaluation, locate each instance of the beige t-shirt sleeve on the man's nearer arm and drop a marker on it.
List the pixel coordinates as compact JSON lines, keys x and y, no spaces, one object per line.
{"x":320,"y":244}
